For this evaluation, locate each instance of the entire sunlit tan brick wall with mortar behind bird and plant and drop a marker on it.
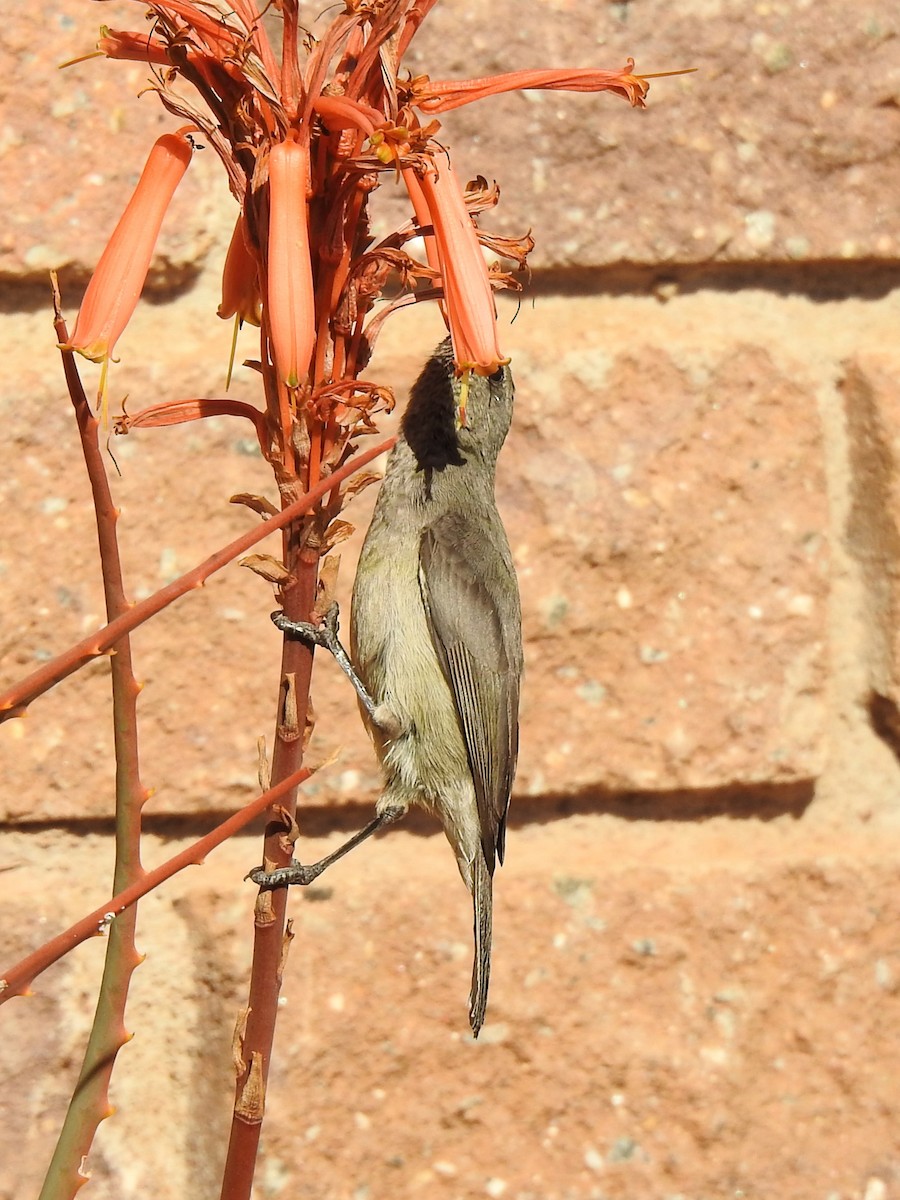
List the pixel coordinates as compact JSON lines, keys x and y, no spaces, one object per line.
{"x":697,"y":992}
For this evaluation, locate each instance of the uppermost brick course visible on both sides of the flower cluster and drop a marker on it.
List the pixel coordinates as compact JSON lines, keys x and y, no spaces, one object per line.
{"x":746,"y":161}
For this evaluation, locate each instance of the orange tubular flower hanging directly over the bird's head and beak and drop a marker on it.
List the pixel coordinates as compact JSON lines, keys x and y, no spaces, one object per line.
{"x":469,"y":298}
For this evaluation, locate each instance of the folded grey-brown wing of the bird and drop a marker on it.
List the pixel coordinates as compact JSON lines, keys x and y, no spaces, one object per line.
{"x":469,"y":589}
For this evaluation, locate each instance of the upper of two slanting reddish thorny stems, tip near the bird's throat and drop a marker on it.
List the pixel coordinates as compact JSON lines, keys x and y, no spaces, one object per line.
{"x":16,"y":699}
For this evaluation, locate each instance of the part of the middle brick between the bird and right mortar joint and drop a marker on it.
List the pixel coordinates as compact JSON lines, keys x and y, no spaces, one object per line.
{"x":671,"y":536}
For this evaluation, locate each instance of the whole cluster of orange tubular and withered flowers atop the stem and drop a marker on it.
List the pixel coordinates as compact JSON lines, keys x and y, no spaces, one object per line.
{"x":305,"y":136}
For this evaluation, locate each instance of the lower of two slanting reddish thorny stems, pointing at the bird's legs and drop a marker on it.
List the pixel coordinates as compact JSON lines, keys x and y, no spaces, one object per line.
{"x":19,"y":980}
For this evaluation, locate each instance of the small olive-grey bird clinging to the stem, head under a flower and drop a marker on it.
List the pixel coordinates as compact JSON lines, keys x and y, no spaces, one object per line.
{"x":436,"y":635}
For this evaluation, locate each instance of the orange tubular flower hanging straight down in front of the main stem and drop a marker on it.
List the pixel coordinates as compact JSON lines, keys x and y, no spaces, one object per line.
{"x":292,"y":315}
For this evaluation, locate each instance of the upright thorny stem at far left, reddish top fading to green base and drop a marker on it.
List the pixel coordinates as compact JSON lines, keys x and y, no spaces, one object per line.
{"x":91,"y":1100}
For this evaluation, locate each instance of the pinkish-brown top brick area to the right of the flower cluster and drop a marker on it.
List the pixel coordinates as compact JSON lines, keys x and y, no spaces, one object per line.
{"x":747,"y":161}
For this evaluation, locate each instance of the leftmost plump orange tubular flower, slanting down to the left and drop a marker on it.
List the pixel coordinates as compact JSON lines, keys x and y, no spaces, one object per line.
{"x":117,"y":284}
